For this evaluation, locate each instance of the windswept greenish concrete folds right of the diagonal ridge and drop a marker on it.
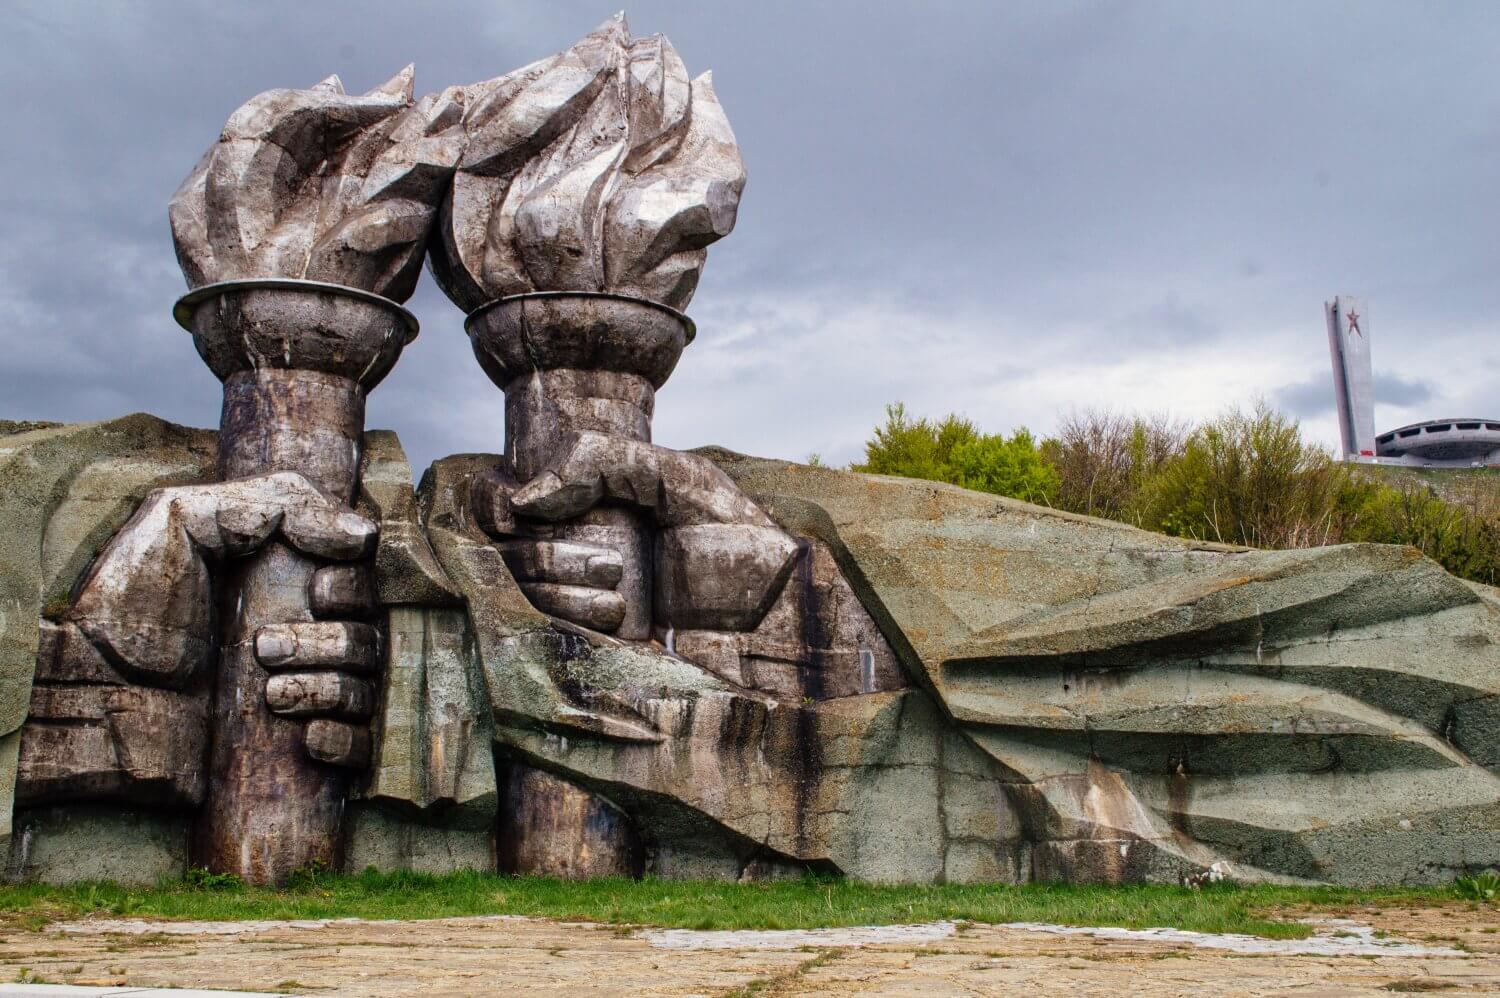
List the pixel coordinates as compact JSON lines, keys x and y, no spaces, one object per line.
{"x":1169,"y":705}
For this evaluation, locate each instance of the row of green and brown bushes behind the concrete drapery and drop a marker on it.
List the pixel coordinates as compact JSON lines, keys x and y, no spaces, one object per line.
{"x":1244,"y":478}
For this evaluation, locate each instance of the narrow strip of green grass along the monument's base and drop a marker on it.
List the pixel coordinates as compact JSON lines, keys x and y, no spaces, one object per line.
{"x":695,"y":904}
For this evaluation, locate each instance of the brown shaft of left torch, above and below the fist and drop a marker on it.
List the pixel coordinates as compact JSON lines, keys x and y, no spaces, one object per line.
{"x":272,"y":810}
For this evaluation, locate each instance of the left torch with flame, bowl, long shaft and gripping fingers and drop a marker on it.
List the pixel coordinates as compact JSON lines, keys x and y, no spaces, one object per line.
{"x":299,"y":233}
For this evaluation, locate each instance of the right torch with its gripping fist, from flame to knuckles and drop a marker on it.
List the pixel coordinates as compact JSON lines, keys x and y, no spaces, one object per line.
{"x":574,"y":236}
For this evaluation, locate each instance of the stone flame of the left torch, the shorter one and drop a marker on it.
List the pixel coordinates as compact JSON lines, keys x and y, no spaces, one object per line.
{"x":322,"y":185}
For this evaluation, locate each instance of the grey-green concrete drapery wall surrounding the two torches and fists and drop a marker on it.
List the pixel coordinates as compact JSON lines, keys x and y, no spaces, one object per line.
{"x":1043,"y":697}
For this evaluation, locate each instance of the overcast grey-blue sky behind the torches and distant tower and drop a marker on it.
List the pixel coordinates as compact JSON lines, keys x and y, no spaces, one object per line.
{"x":1001,"y":209}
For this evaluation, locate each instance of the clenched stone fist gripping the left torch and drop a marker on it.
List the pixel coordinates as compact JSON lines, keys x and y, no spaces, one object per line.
{"x":148,"y":601}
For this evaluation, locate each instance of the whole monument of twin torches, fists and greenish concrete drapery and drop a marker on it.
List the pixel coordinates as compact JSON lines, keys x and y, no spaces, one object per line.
{"x":271,"y":648}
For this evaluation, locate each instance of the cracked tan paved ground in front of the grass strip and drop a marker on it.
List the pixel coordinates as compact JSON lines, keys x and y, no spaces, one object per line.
{"x":1376,"y":952}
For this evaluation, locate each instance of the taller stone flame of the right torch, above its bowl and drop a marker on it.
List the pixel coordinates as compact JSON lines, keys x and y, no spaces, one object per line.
{"x":604,"y":169}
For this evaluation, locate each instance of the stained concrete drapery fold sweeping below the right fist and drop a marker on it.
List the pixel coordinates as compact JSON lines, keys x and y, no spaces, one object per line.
{"x":718,"y":778}
